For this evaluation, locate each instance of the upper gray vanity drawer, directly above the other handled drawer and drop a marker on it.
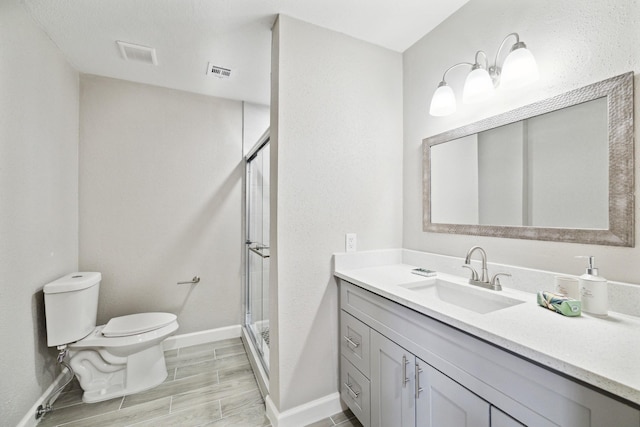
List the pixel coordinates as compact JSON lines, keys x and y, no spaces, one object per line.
{"x":355,"y":342}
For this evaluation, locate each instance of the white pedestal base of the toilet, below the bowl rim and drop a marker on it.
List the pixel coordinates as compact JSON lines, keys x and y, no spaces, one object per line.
{"x":102,"y":381}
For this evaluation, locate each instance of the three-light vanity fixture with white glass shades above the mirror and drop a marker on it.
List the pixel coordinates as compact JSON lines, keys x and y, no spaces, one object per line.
{"x":518,"y":69}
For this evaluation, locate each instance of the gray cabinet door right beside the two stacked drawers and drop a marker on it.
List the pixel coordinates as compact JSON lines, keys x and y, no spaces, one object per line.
{"x":392,"y":376}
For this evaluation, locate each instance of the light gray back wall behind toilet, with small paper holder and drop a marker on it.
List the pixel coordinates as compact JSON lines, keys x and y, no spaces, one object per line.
{"x":161,"y":175}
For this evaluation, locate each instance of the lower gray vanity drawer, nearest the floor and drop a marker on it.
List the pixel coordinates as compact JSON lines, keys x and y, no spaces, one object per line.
{"x":355,"y":391}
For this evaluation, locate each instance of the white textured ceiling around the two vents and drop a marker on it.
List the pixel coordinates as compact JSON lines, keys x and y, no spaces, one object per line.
{"x":234,"y":34}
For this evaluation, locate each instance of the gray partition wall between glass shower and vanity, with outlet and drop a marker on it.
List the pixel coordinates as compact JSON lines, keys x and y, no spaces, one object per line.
{"x":336,"y":168}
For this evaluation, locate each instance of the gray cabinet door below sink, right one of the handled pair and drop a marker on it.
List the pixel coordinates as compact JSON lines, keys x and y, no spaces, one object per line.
{"x":442,"y":402}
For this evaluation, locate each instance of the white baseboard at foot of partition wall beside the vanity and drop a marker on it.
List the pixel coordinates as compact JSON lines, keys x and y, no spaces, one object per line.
{"x":305,"y":414}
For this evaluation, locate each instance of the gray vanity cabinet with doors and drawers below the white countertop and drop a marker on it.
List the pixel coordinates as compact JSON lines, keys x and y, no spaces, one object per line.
{"x":402,"y":368}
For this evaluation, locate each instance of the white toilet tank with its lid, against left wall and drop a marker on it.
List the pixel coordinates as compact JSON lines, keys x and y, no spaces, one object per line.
{"x":71,"y":307}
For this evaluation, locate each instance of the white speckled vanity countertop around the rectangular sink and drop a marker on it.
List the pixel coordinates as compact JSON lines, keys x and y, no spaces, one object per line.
{"x":603,"y":352}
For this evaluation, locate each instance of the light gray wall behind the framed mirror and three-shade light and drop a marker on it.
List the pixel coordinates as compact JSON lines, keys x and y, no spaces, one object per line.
{"x":576,"y":43}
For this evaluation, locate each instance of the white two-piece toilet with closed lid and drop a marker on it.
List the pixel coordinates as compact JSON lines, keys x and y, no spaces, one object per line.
{"x":123,"y":357}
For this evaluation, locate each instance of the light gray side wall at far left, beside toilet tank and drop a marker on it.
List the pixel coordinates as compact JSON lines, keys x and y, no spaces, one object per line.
{"x":38,"y":200}
